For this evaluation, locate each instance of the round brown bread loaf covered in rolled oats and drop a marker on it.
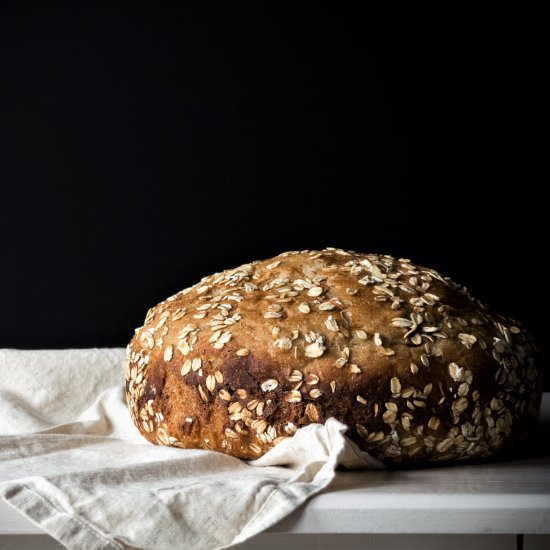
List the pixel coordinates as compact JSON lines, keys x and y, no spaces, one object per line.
{"x":417,"y":368}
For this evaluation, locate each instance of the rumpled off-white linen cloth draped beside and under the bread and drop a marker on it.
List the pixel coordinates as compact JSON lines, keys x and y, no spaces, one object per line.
{"x":72,"y":461}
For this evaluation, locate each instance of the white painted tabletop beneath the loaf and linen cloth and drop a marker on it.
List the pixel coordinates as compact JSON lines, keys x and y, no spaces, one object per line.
{"x":511,"y":496}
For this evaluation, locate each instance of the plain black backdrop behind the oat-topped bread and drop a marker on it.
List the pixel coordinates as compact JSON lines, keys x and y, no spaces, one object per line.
{"x":145,"y":144}
